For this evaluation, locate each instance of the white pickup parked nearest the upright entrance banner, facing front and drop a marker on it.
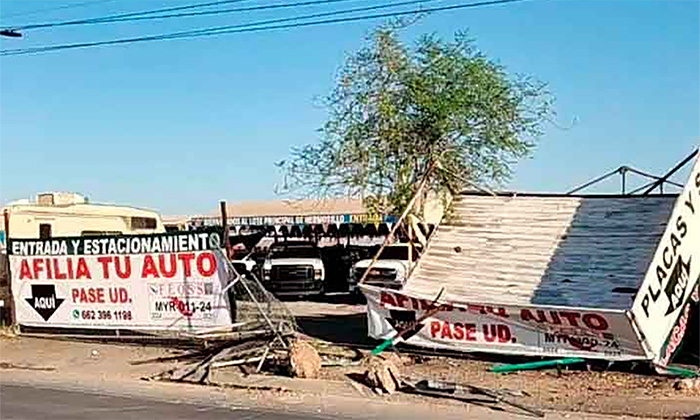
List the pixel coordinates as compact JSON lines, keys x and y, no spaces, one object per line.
{"x":294,"y":268}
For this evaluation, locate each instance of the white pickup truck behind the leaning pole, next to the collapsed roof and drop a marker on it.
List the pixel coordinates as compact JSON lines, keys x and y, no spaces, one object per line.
{"x":391,"y":269}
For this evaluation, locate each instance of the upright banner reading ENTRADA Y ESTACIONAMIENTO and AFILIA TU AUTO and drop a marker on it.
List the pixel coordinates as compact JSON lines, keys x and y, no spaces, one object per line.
{"x":168,"y":282}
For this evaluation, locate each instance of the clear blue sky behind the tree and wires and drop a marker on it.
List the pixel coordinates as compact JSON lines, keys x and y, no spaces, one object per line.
{"x":178,"y":125}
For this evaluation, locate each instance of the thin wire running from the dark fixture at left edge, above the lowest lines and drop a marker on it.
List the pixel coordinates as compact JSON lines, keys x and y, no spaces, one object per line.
{"x":177,"y":15}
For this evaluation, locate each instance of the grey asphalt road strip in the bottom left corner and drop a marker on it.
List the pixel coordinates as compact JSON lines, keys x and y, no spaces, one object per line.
{"x":18,"y":402}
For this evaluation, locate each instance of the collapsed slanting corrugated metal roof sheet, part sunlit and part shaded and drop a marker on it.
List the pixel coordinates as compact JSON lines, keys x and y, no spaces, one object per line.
{"x":543,"y":250}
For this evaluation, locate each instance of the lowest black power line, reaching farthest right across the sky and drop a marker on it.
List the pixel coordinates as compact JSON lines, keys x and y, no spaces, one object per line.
{"x":263,"y":26}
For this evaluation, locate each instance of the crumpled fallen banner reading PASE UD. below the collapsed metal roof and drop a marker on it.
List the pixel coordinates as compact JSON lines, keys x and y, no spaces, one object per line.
{"x":534,"y":330}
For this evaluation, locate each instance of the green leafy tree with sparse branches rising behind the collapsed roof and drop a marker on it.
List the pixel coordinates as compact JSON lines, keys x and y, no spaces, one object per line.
{"x":439,"y":111}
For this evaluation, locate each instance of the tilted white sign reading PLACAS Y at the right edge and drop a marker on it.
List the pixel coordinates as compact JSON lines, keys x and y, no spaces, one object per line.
{"x":674,"y":273}
